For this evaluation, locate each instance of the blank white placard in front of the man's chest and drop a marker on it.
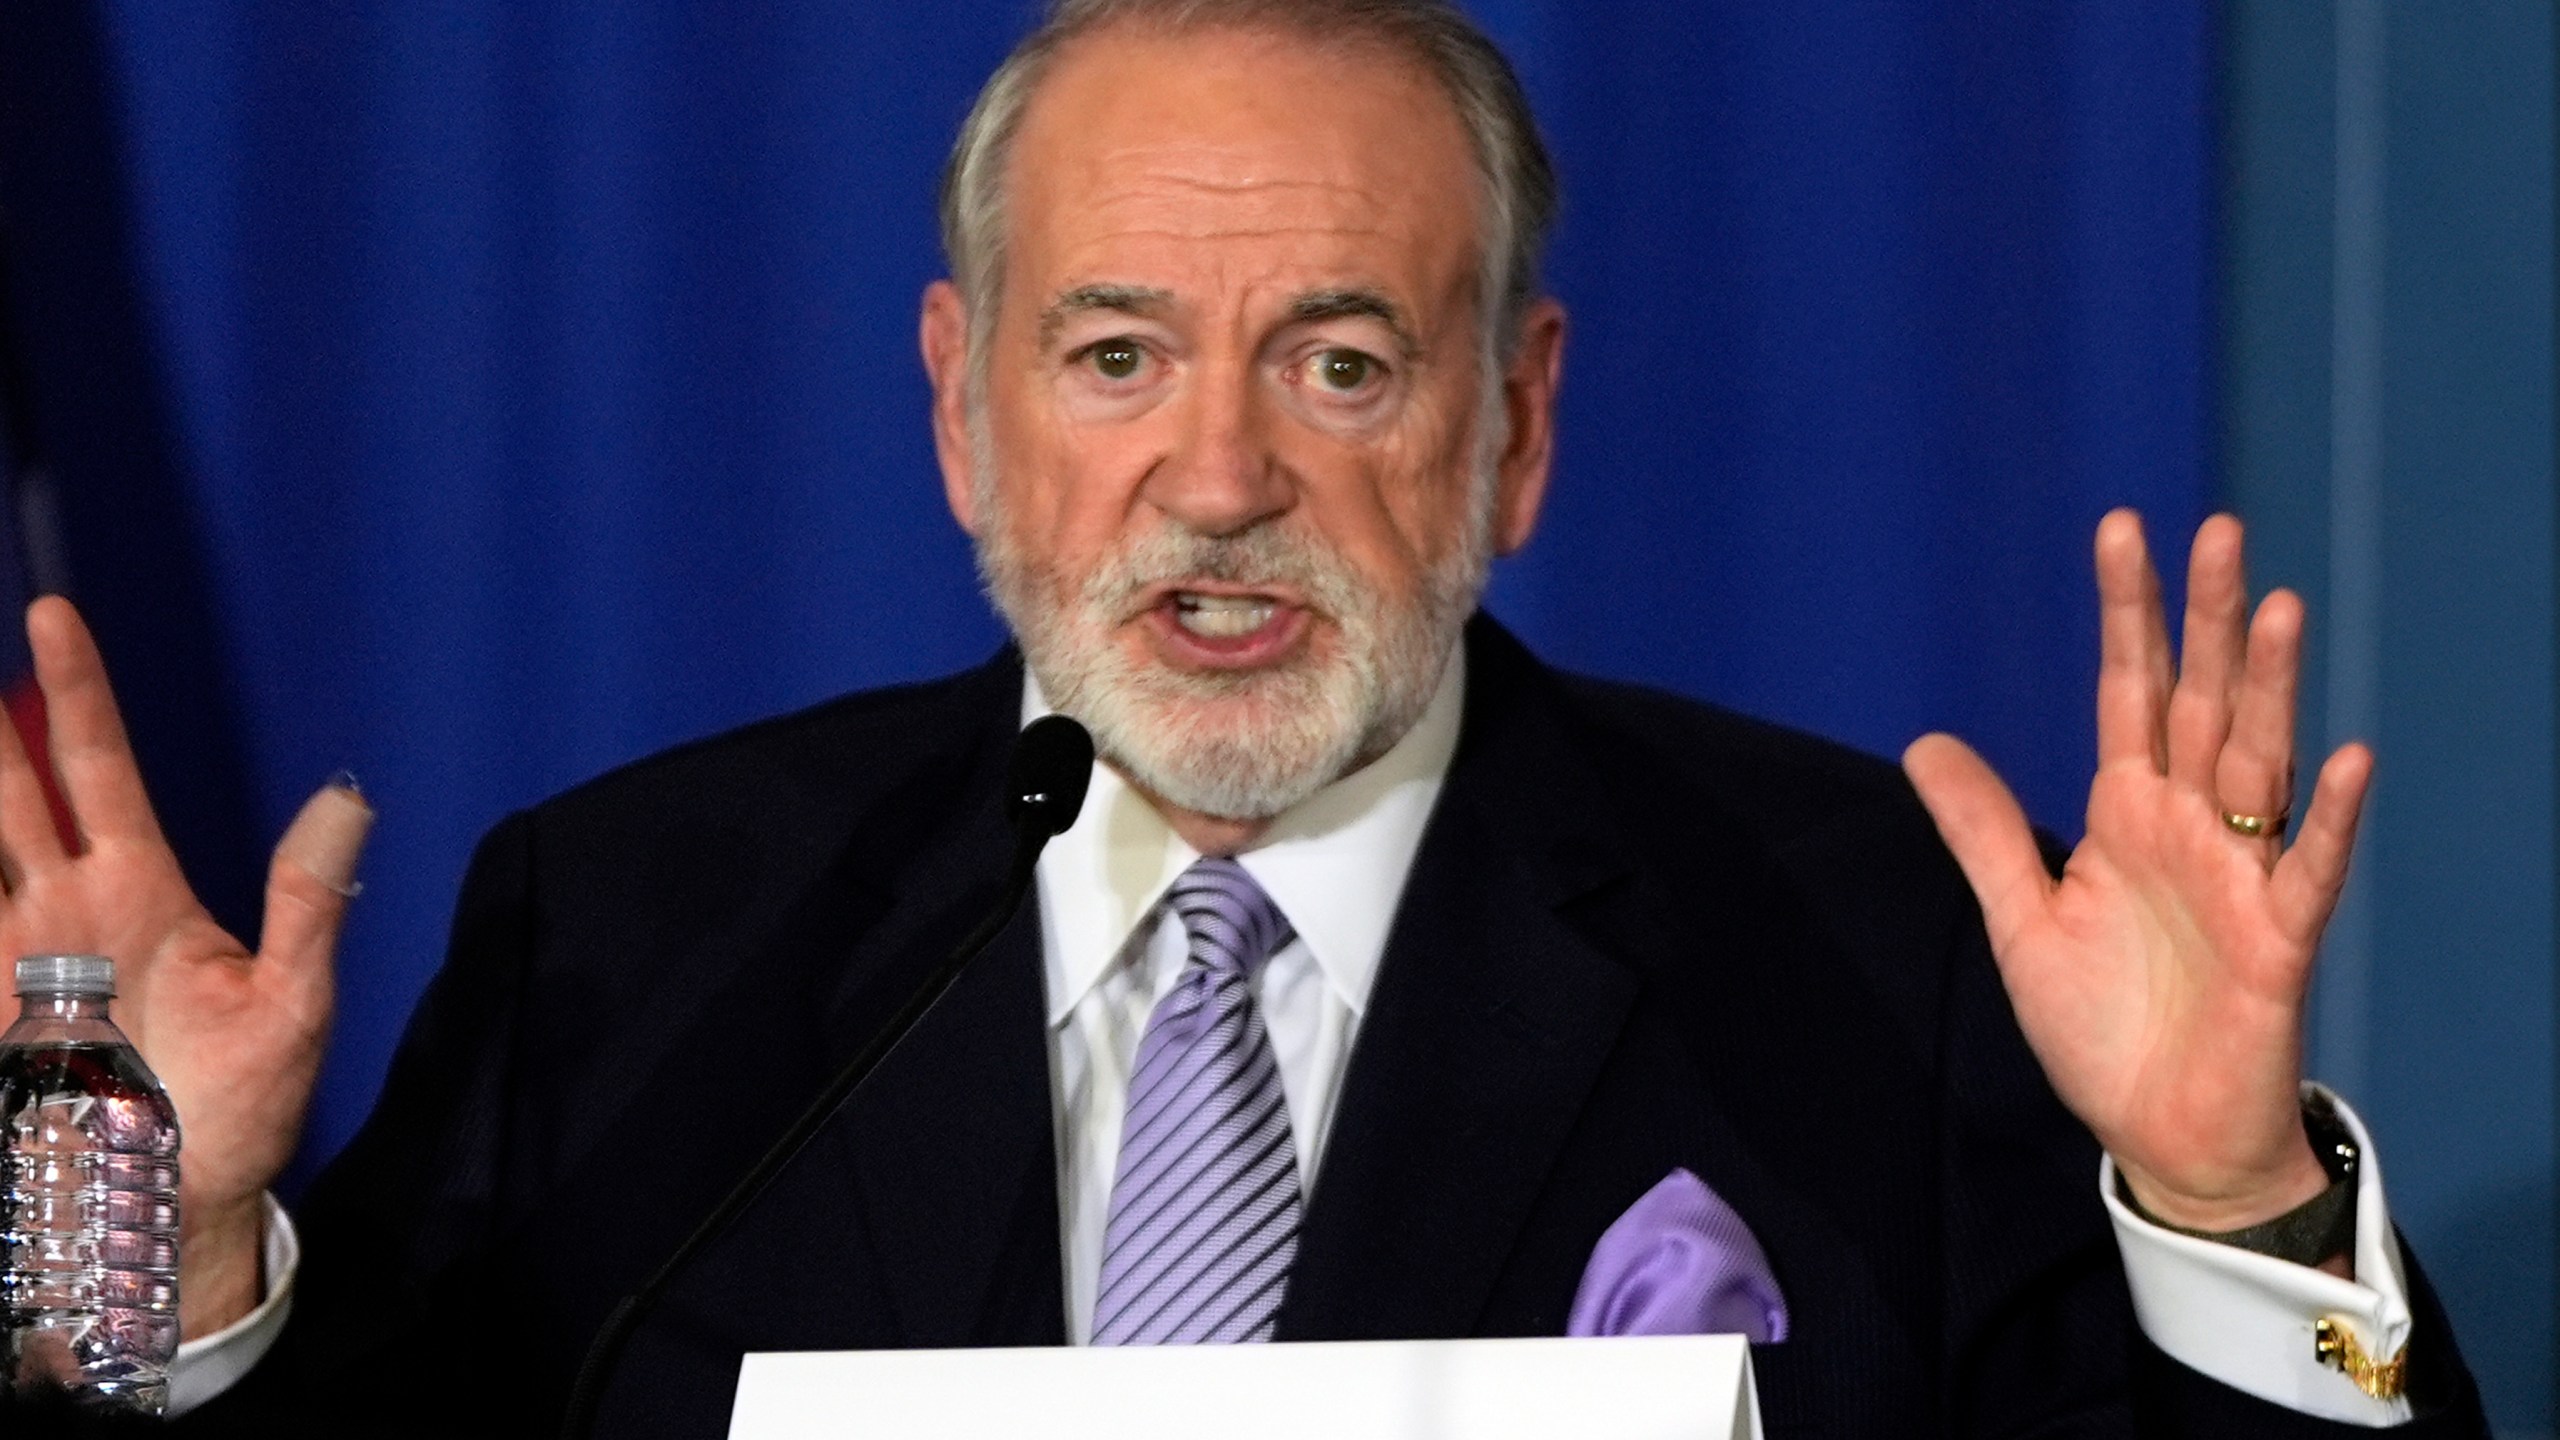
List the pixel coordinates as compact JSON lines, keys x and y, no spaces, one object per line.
{"x":1670,"y":1387}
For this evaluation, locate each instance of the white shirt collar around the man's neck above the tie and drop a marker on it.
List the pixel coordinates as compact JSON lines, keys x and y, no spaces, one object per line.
{"x":1335,"y":862}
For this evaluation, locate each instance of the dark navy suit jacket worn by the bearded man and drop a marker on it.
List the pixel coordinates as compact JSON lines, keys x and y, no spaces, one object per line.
{"x":1640,"y":934}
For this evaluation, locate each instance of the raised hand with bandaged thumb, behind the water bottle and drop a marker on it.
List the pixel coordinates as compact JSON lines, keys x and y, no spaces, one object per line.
{"x":237,"y":1036}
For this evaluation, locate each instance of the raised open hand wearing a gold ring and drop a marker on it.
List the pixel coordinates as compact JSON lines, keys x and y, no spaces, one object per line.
{"x":2162,"y":978}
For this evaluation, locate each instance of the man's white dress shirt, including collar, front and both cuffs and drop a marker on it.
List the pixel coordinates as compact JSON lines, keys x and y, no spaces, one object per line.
{"x":1338,"y":867}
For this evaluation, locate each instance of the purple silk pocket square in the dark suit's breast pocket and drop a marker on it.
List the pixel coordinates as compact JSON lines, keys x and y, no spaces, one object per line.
{"x":1681,"y":1264}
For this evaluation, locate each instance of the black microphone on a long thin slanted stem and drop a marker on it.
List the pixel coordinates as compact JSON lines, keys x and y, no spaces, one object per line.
{"x":1046,"y":788}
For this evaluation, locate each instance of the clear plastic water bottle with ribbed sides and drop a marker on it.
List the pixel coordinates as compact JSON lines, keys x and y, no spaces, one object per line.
{"x":88,"y":1200}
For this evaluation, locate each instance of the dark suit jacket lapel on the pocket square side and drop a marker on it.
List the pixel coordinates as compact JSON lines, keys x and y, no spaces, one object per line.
{"x":1489,"y":1026}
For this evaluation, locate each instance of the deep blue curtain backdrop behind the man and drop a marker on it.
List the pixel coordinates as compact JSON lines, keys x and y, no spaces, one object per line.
{"x":547,"y":391}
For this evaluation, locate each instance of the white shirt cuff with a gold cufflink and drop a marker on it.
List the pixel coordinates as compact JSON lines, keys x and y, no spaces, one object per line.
{"x":2249,"y":1321}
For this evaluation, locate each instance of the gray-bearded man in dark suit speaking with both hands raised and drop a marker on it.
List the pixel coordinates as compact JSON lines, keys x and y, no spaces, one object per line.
{"x":1389,"y":985}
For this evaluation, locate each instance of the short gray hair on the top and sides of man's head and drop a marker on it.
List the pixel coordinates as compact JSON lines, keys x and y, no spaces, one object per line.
{"x":1519,"y":183}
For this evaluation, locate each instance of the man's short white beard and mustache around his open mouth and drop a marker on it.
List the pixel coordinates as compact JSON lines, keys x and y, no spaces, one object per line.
{"x":1235,"y":744}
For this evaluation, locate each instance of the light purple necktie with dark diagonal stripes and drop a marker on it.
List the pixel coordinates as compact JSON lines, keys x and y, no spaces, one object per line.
{"x":1204,"y":1208}
